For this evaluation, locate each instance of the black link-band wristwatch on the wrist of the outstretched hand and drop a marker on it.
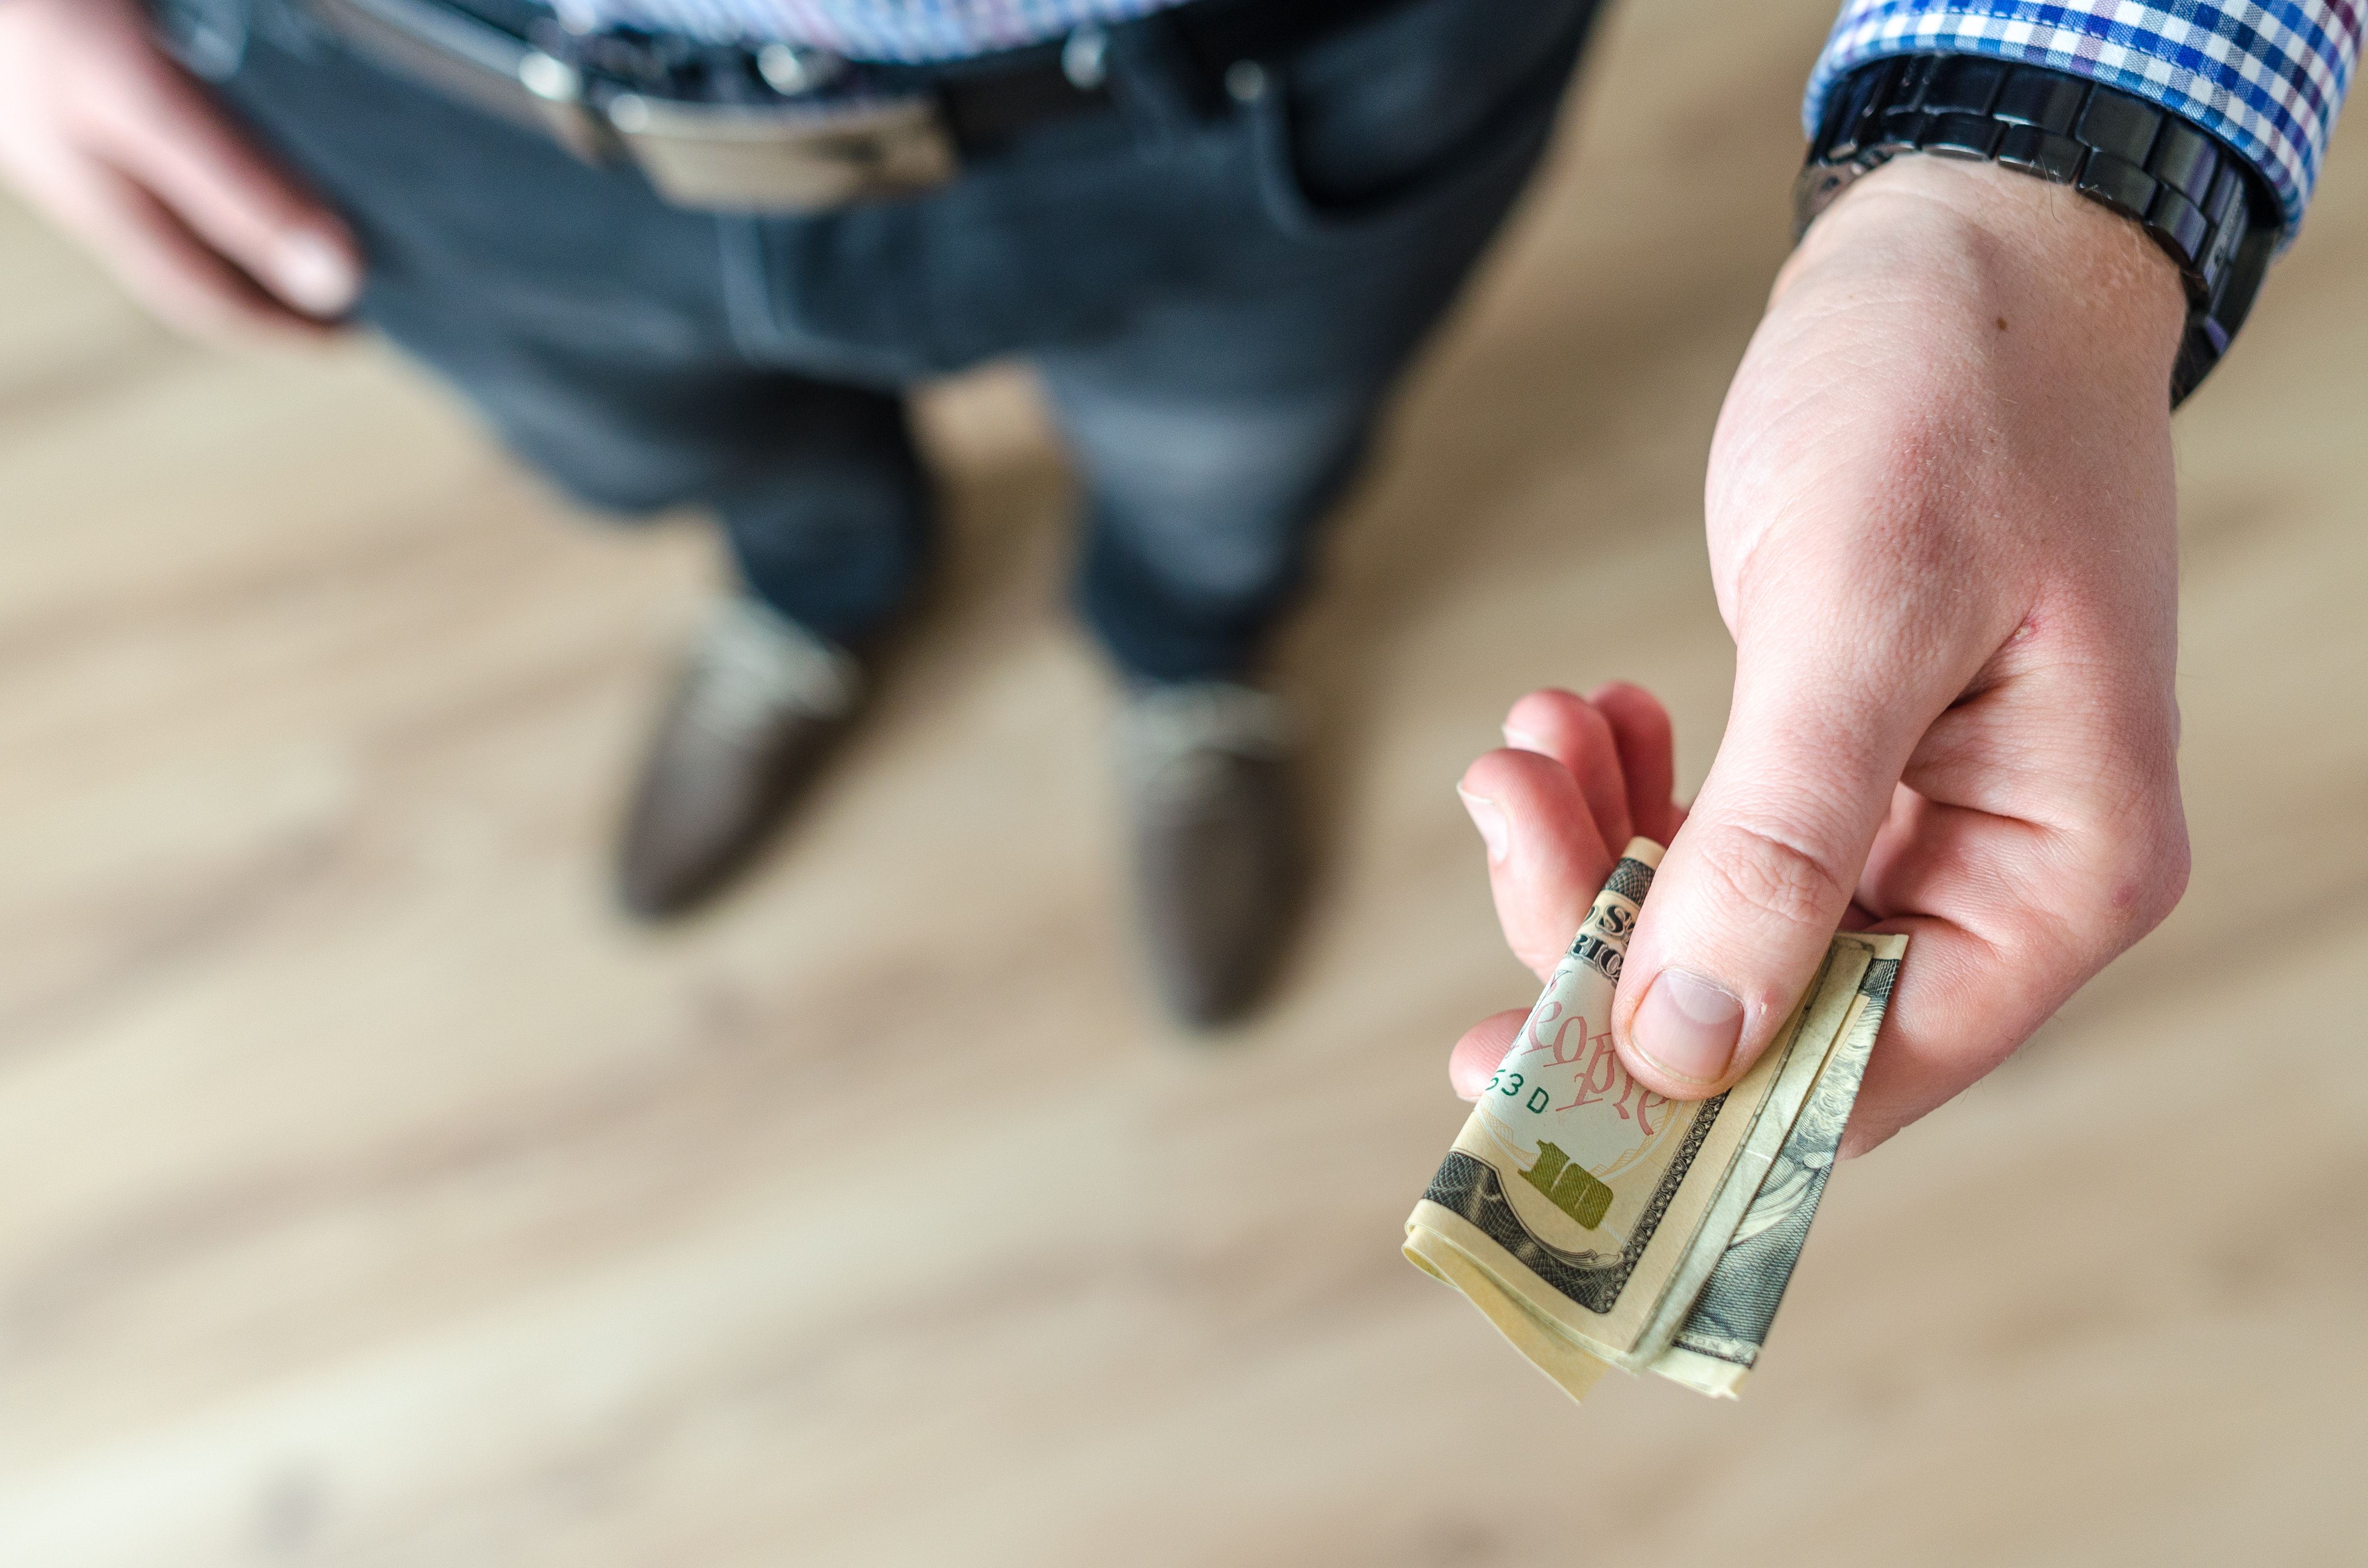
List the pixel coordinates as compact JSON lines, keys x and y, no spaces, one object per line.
{"x":2199,"y":200}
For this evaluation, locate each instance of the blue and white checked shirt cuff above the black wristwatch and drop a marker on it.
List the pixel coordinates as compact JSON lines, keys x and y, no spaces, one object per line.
{"x":2265,"y":77}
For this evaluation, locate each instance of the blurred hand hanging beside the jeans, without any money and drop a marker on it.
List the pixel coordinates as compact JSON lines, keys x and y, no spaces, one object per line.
{"x":129,"y":155}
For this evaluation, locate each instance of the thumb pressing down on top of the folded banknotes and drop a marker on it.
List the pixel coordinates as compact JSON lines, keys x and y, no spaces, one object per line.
{"x":1761,"y":875}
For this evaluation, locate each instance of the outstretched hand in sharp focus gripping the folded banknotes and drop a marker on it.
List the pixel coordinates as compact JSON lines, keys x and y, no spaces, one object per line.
{"x":1943,"y":536}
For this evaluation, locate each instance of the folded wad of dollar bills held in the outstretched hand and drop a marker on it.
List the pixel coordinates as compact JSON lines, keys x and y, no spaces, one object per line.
{"x":1604,"y":1226}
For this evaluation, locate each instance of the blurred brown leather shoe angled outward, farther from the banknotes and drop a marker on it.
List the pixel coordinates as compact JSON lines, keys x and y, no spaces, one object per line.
{"x":759,"y":707}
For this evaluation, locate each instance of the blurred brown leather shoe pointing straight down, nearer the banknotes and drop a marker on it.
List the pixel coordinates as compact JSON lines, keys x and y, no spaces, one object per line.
{"x":1216,"y":859}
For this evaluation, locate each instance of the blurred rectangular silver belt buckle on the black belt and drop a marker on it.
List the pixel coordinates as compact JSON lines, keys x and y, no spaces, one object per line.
{"x":785,"y":160}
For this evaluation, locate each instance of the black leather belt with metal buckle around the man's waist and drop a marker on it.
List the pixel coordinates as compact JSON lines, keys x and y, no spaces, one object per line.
{"x":792,"y":129}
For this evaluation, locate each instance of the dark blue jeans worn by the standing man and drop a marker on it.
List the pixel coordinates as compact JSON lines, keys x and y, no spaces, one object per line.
{"x":1216,"y":304}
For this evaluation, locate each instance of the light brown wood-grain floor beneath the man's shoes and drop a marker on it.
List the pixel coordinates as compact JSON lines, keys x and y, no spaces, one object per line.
{"x":373,"y":1195}
